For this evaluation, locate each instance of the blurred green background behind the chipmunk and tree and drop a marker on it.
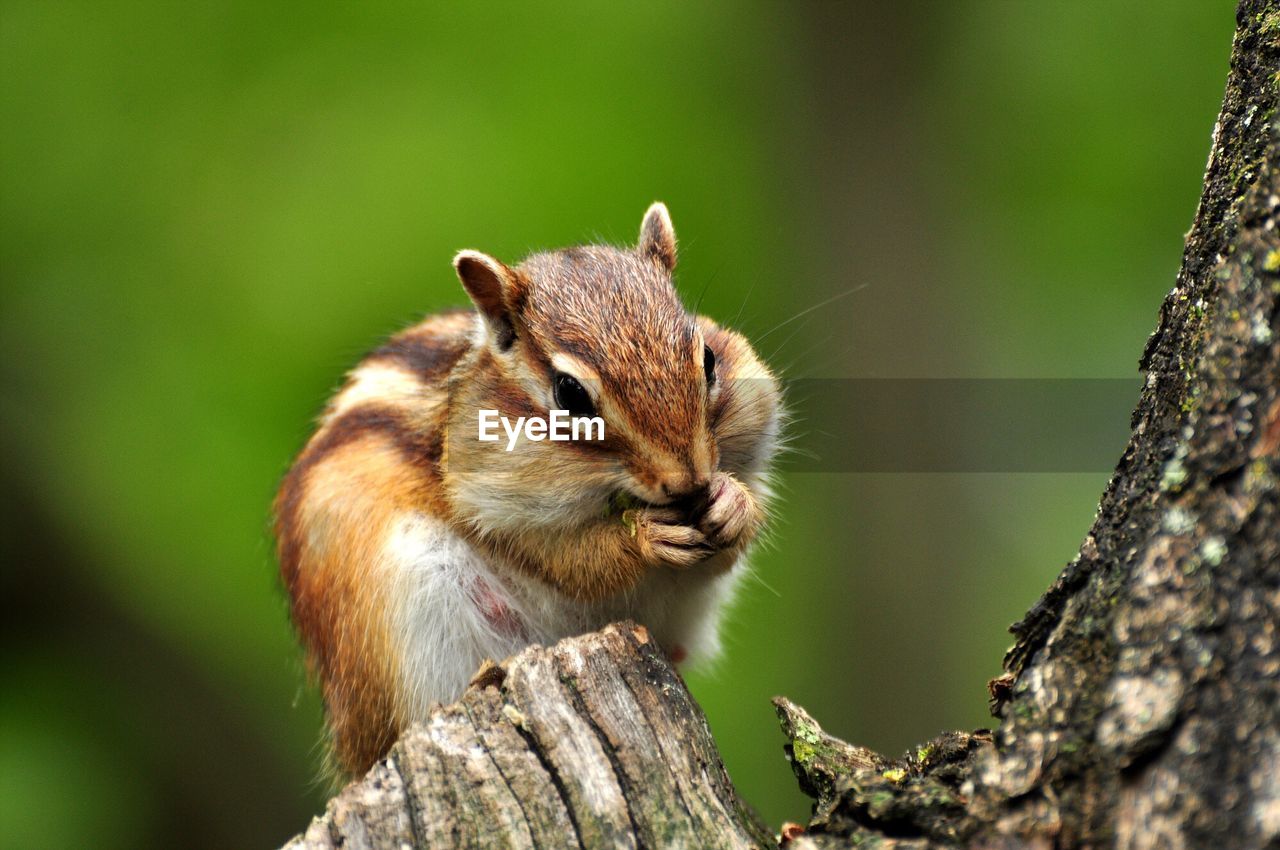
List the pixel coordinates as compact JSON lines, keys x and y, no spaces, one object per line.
{"x":211,"y":211}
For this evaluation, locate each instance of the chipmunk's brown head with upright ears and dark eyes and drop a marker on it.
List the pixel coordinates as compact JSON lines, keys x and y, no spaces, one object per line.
{"x":598,"y":332}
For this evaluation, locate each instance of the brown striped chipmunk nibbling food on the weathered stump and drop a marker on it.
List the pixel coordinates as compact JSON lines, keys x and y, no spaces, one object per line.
{"x":413,"y":550}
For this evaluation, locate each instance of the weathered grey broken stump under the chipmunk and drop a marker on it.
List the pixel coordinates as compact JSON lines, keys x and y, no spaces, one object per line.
{"x":592,"y":743}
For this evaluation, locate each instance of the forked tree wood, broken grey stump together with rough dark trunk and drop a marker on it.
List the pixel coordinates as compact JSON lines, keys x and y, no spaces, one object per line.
{"x":1141,"y":702}
